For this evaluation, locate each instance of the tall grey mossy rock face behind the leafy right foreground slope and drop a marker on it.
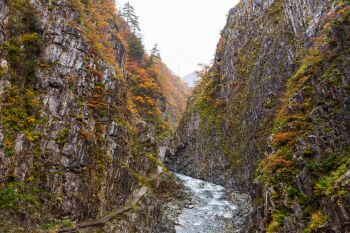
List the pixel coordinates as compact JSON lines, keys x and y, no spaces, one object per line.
{"x":256,"y":55}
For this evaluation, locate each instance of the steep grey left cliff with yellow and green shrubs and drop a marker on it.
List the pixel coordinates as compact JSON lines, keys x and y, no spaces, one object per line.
{"x":73,"y":144}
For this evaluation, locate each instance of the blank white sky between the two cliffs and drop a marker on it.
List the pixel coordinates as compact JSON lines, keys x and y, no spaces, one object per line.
{"x":186,"y":31}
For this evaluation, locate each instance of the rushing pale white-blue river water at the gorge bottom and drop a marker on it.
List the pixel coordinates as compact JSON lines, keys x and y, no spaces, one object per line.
{"x":212,"y":210}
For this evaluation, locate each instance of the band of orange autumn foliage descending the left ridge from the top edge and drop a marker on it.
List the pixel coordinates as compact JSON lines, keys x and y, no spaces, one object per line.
{"x":156,"y":95}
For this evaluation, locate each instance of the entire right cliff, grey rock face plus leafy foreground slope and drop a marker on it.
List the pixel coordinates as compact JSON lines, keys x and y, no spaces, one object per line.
{"x":277,"y":95}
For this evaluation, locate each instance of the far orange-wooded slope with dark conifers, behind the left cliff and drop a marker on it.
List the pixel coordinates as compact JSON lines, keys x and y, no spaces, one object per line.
{"x":159,"y":97}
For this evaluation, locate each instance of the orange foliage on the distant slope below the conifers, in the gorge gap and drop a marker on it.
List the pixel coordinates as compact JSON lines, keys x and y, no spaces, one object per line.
{"x":153,"y":86}
